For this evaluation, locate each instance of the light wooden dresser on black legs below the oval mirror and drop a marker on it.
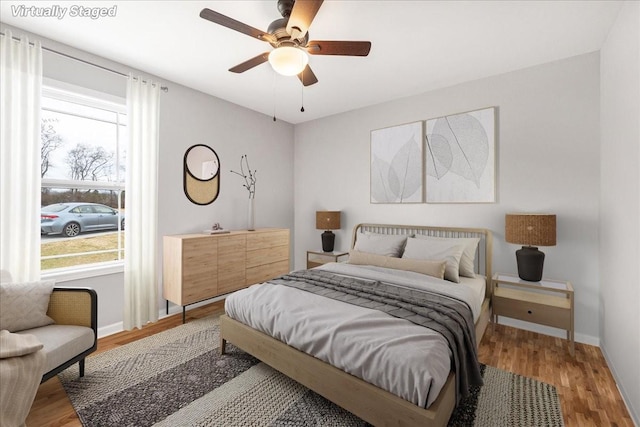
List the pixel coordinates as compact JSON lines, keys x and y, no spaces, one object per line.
{"x":197,"y":267}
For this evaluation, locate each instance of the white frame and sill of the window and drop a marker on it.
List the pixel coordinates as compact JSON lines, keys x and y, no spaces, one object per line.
{"x":80,"y":95}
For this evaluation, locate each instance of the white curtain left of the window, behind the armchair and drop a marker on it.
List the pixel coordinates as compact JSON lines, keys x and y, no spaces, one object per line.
{"x":20,"y":90}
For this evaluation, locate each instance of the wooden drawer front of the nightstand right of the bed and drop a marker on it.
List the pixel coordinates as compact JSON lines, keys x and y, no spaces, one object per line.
{"x":542,"y":314}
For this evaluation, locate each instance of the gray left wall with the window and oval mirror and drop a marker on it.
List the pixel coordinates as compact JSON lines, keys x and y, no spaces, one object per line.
{"x":189,"y":117}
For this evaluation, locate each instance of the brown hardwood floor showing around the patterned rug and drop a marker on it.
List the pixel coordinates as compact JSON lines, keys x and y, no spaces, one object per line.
{"x":588,"y":393}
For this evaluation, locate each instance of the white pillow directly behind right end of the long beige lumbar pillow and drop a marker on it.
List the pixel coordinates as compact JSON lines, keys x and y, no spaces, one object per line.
{"x":436,"y":250}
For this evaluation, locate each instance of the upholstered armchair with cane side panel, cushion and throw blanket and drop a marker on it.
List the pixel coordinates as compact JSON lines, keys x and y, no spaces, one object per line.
{"x":43,"y":330}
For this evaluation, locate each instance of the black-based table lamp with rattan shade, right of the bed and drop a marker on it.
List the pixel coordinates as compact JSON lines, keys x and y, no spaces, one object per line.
{"x":530,"y":231}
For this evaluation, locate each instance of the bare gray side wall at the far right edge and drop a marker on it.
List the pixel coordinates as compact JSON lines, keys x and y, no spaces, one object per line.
{"x":620,"y":202}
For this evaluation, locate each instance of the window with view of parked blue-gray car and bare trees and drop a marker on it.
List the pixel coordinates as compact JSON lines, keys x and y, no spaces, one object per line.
{"x":83,"y":179}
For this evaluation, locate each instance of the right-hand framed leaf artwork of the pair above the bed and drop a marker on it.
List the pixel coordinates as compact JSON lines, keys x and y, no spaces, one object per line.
{"x":460,"y":157}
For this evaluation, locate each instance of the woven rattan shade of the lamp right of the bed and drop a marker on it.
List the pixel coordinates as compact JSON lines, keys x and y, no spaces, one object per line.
{"x":531,"y":229}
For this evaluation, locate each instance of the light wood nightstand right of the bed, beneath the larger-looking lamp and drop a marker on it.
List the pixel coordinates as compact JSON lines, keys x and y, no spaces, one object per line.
{"x":548,"y":302}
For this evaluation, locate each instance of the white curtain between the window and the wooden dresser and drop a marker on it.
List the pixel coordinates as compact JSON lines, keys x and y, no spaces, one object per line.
{"x":141,"y":204}
